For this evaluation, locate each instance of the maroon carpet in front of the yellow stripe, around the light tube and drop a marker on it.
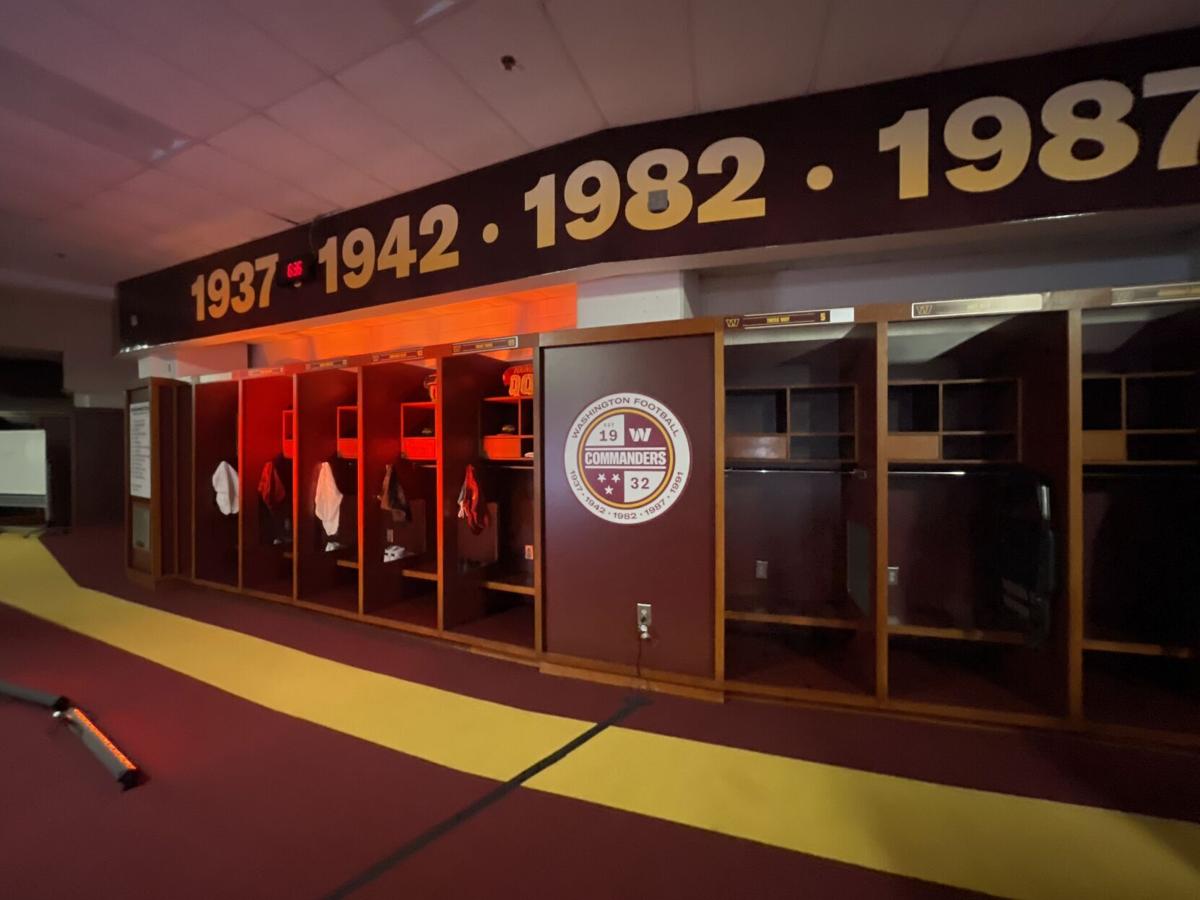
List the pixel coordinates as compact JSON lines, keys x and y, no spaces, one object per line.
{"x":248,"y":803}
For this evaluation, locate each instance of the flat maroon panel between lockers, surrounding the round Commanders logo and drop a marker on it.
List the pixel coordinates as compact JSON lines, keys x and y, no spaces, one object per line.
{"x":596,"y":571}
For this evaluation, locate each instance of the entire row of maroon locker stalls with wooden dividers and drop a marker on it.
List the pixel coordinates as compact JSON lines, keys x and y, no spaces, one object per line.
{"x":982,"y":517}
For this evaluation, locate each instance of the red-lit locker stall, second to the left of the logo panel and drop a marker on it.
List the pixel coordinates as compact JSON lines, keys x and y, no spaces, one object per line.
{"x":400,"y":464}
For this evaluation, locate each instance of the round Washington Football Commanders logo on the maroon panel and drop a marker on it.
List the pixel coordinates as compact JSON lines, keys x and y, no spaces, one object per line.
{"x":627,"y":459}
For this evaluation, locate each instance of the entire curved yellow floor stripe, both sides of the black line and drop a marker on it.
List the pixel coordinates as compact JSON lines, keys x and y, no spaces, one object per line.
{"x":993,"y":843}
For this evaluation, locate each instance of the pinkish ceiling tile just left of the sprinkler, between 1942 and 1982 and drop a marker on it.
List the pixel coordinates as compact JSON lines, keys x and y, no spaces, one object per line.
{"x":422,"y":95}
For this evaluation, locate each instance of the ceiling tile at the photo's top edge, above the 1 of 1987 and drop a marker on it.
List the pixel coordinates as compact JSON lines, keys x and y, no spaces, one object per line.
{"x":868,"y":41}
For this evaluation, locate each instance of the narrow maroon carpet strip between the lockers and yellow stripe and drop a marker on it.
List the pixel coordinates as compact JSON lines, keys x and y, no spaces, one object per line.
{"x":1057,"y":766}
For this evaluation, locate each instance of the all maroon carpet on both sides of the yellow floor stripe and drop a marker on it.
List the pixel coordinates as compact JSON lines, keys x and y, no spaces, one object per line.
{"x":249,"y":802}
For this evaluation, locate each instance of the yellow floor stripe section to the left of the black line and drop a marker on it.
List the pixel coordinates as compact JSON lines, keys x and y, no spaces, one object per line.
{"x":449,"y":729}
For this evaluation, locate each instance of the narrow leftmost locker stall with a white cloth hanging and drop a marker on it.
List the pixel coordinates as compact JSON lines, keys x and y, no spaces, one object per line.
{"x":218,"y":483}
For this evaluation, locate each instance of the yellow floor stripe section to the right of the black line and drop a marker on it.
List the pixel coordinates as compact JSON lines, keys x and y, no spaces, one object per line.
{"x":993,"y":843}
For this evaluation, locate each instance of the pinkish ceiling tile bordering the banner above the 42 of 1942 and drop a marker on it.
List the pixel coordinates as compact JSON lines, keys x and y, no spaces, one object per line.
{"x":329,"y":117}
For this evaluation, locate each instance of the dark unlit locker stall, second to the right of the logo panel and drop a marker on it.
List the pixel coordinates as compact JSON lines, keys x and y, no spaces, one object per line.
{"x":979,"y":467}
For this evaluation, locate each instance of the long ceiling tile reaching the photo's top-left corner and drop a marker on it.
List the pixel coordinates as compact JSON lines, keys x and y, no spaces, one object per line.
{"x":92,"y":55}
